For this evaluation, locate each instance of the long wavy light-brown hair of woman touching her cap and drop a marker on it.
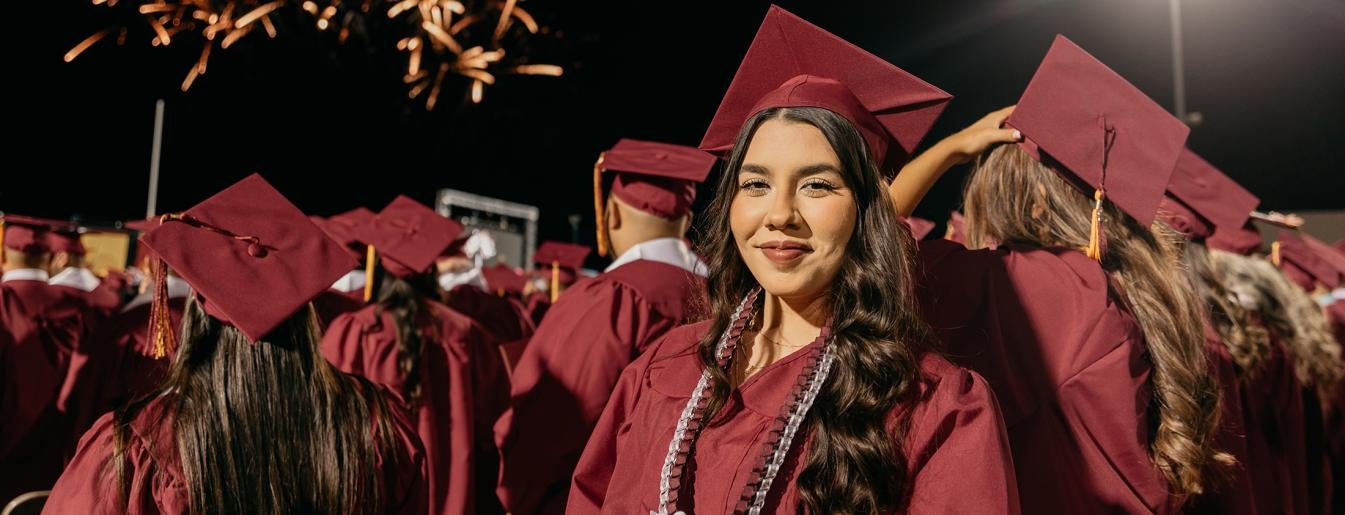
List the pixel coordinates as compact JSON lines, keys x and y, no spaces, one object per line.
{"x":1012,"y":198}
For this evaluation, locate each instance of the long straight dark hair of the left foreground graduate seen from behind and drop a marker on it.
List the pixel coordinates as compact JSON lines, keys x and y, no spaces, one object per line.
{"x":268,"y":427}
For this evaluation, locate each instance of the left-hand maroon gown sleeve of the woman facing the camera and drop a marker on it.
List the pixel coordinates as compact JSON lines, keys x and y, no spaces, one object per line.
{"x":594,"y":473}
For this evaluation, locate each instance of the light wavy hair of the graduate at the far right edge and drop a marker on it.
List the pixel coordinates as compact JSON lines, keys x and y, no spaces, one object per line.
{"x":1291,"y":315}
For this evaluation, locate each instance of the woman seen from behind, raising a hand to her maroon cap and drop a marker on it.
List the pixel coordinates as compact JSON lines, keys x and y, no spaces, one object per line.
{"x":1096,"y":350}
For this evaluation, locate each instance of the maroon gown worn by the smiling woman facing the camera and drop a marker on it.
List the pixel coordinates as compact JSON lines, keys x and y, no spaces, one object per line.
{"x":956,"y":446}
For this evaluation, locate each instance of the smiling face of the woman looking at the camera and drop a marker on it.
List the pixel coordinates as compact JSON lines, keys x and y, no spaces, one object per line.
{"x":793,"y":214}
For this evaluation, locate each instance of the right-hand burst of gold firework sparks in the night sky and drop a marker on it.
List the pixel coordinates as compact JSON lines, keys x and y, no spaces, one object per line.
{"x":465,"y":42}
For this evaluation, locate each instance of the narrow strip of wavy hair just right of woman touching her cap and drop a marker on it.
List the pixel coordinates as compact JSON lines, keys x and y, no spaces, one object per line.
{"x":1246,"y":341}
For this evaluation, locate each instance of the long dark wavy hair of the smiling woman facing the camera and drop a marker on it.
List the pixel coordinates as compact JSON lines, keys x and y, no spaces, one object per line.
{"x":856,"y":462}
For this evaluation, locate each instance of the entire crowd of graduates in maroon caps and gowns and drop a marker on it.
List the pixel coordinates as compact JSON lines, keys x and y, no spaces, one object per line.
{"x":1110,"y":327}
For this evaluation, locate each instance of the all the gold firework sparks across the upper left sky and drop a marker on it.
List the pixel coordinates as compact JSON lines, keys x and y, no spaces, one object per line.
{"x":440,"y":38}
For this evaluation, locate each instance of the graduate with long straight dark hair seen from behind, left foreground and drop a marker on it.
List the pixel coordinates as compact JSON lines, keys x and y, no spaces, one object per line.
{"x":251,"y":419}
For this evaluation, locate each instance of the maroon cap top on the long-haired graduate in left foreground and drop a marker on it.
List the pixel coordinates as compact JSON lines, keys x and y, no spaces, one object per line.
{"x":251,"y":255}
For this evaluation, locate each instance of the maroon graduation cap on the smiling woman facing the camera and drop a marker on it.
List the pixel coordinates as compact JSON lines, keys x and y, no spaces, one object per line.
{"x":794,"y":64}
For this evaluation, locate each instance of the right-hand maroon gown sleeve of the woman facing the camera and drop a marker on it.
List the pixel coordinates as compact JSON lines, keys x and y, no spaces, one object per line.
{"x":958,"y":450}
